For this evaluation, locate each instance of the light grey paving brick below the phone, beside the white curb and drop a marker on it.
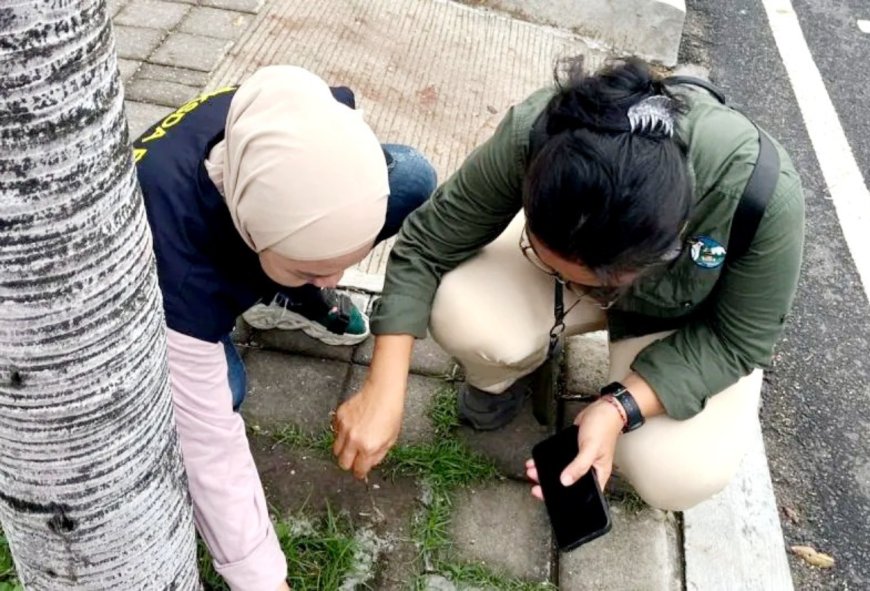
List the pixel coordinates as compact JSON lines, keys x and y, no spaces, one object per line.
{"x":647,"y":538}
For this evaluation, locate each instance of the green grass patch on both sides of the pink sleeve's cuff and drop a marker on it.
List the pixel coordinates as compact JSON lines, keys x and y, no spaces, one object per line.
{"x":320,"y":554}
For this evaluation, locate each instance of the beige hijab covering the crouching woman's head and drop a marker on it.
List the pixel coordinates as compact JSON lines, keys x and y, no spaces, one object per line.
{"x":302,"y":174}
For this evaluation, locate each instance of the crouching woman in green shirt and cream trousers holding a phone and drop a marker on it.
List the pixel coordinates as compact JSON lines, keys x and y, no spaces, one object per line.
{"x":619,"y":191}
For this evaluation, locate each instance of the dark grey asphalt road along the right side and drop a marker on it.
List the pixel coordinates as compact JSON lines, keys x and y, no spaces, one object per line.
{"x":816,"y":405}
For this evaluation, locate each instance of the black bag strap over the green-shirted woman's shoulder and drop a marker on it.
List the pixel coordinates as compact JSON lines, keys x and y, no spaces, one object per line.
{"x":760,"y":186}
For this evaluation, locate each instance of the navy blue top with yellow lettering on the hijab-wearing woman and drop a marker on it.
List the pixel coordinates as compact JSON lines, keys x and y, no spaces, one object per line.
{"x":207,"y":273}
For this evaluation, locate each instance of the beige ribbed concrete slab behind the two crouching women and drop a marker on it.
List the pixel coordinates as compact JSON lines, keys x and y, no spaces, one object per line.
{"x":419,"y":68}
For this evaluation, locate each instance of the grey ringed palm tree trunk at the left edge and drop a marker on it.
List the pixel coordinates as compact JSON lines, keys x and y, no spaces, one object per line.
{"x":92,"y":488}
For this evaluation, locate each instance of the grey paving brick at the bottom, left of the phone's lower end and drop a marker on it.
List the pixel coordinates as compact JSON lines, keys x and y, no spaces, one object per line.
{"x":504,"y":527}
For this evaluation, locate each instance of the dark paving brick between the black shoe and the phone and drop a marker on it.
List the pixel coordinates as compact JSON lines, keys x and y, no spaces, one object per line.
{"x":509,"y":447}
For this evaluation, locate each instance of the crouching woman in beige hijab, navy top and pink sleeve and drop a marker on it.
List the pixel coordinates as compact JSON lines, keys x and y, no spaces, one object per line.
{"x":261,"y":194}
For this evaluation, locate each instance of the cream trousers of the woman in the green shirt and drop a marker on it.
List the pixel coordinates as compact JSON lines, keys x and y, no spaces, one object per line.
{"x":494,"y":313}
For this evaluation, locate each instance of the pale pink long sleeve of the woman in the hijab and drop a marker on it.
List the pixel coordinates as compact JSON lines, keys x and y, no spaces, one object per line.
{"x":228,"y":501}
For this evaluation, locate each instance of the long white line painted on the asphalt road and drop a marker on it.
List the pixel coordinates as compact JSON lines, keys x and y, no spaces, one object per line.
{"x":847,"y":187}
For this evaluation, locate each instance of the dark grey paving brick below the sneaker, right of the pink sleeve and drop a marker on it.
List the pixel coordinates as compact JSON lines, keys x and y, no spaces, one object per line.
{"x":289,"y":390}
